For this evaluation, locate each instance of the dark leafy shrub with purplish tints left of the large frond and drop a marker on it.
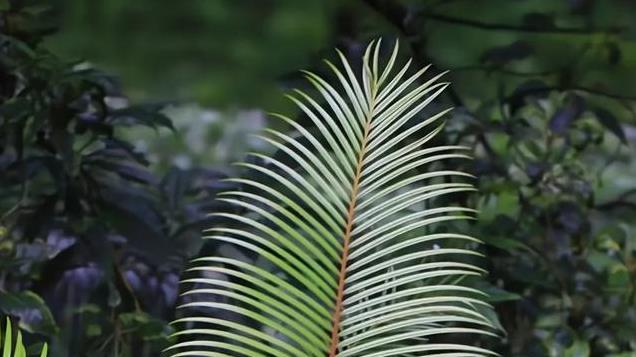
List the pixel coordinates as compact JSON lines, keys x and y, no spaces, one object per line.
{"x":90,"y":238}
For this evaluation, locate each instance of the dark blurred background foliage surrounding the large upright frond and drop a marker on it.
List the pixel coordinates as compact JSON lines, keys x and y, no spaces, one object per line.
{"x":105,"y":181}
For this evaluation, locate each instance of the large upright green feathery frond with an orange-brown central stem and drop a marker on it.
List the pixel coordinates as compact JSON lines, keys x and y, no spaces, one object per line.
{"x":355,"y":270}
